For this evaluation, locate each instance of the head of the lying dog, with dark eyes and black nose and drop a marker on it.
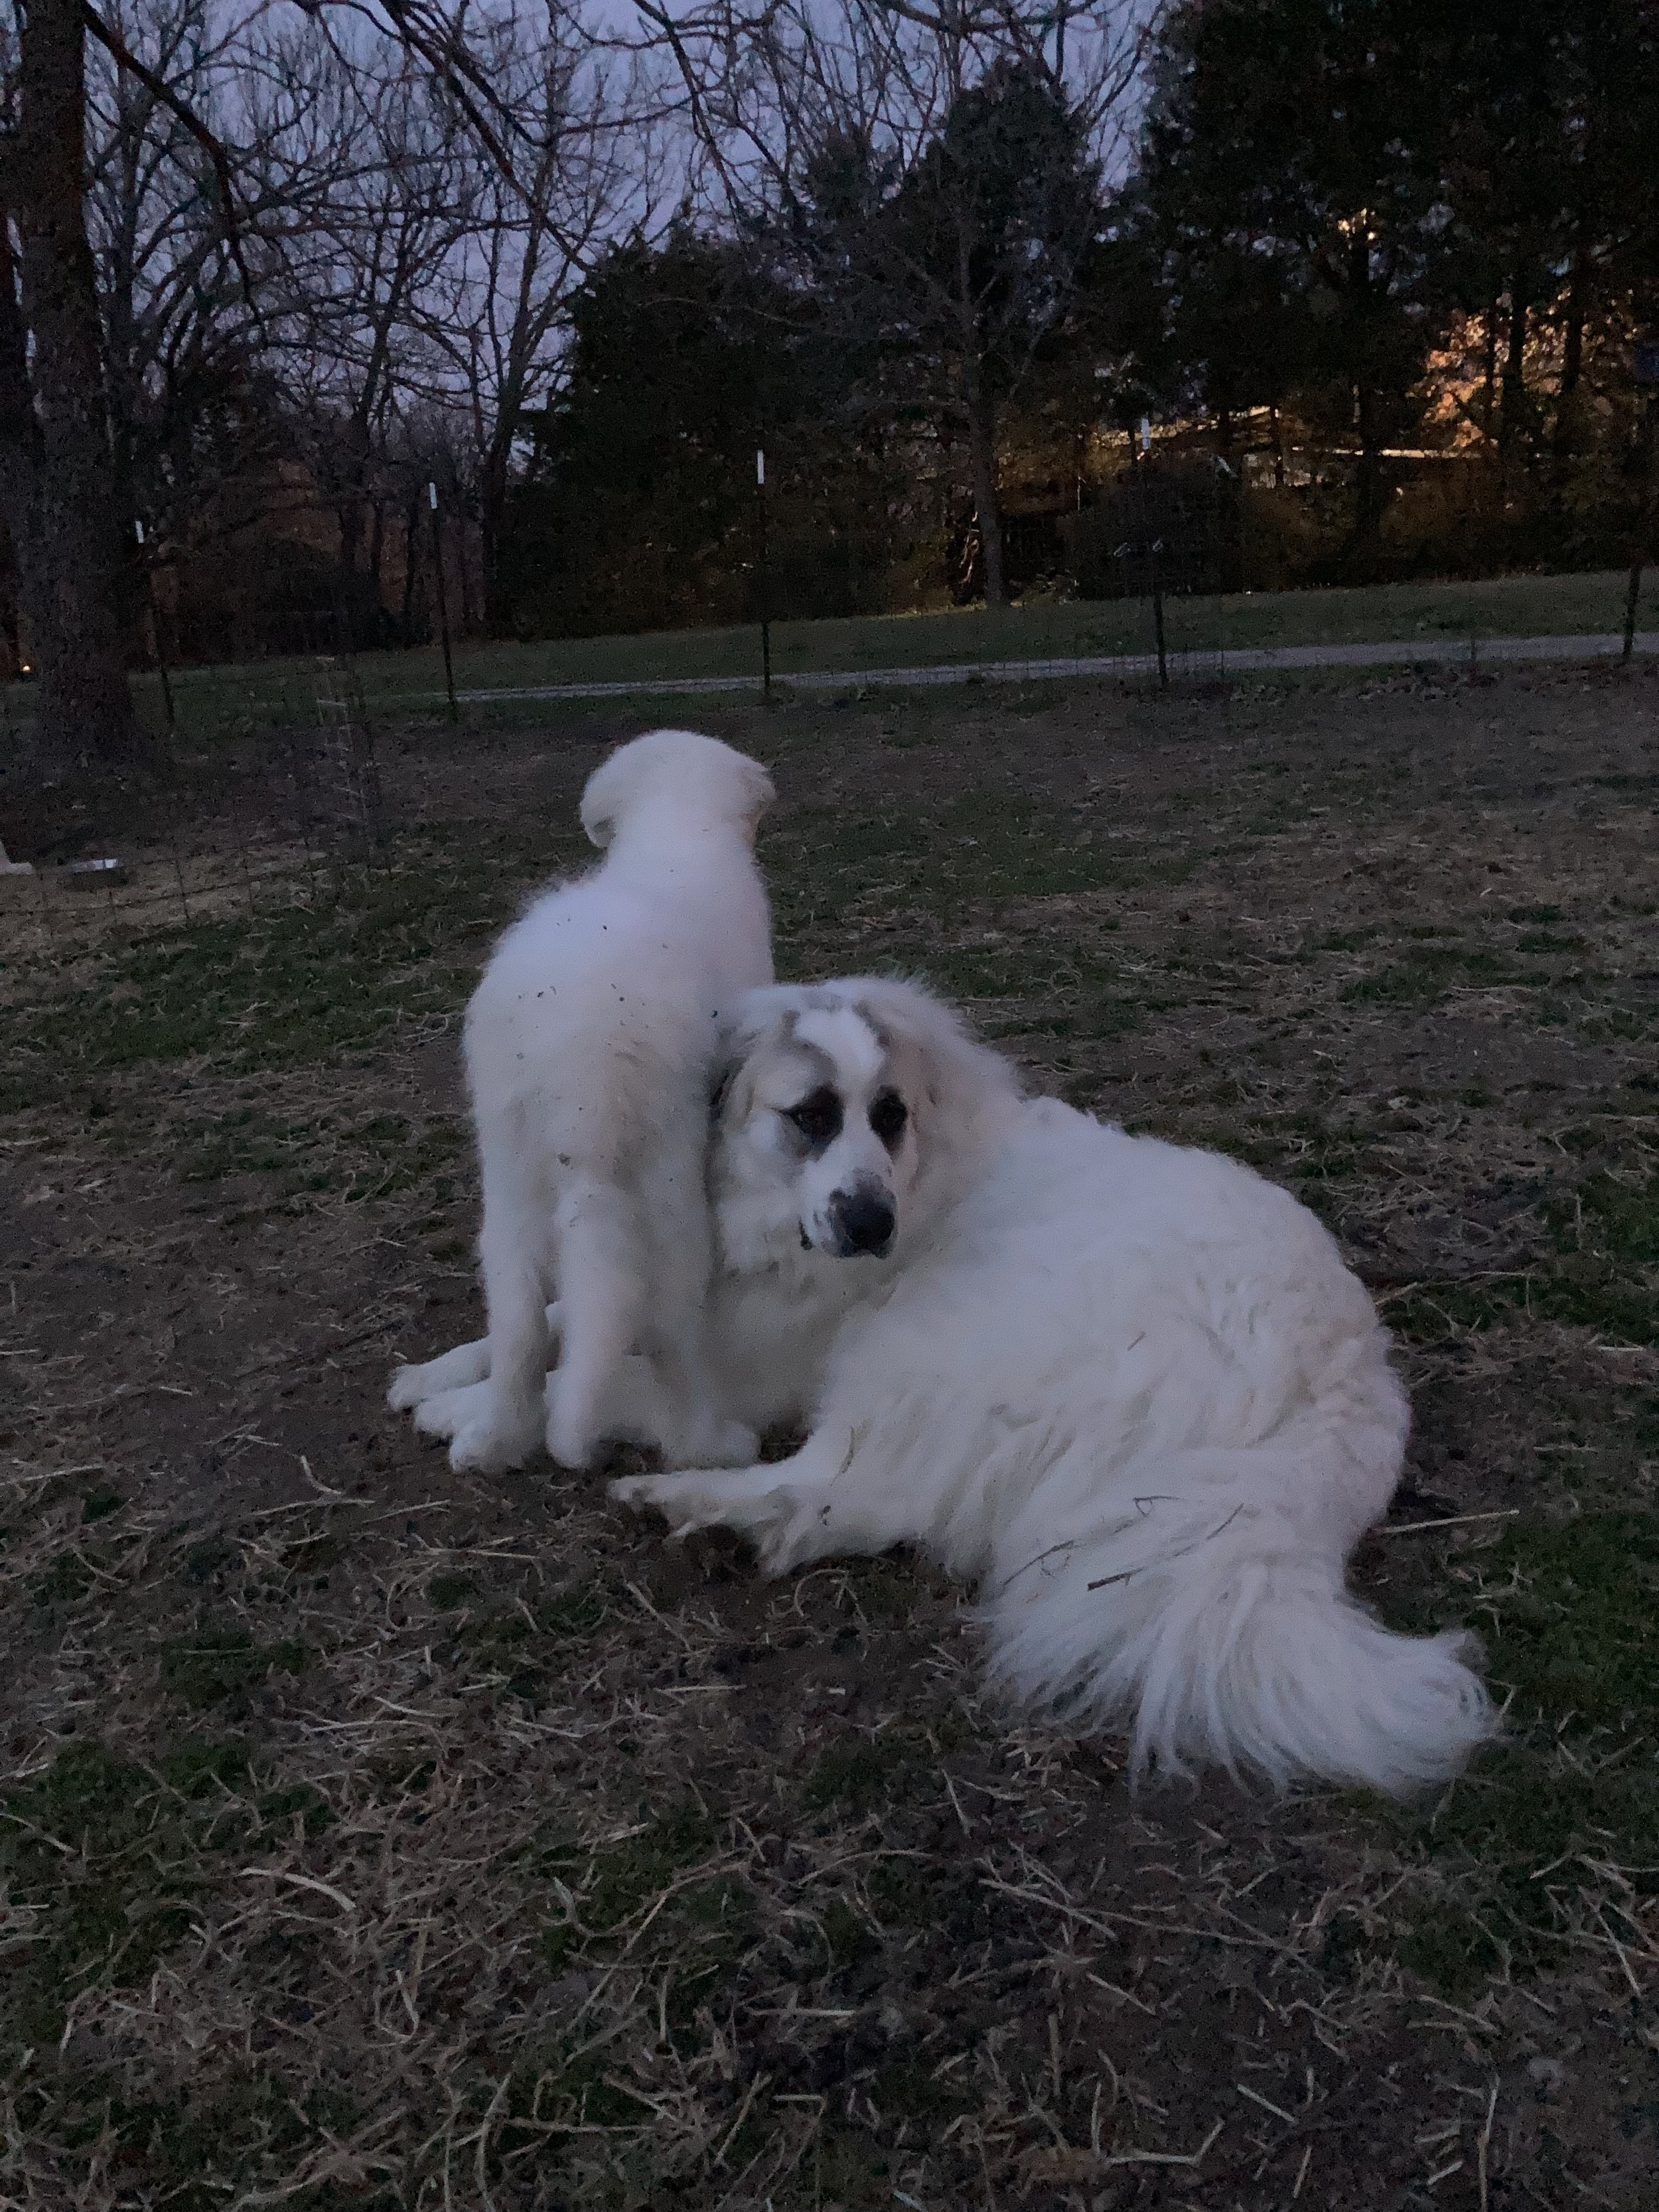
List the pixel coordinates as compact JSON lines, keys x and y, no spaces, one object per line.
{"x":844,"y":1114}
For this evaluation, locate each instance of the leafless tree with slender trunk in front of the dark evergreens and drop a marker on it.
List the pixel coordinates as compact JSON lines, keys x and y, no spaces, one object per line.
{"x":935,"y":169}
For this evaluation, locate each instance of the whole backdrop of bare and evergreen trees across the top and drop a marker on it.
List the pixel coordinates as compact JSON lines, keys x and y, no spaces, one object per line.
{"x":1373,"y":271}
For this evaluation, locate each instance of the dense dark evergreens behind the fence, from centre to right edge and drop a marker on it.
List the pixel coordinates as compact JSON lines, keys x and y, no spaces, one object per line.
{"x":1388,"y":262}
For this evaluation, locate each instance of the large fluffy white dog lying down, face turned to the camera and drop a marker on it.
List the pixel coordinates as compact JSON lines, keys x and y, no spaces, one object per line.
{"x":1129,"y":1388}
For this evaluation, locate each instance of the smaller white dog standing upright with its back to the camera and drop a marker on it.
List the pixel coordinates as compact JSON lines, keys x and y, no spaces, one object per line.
{"x":587,"y":1061}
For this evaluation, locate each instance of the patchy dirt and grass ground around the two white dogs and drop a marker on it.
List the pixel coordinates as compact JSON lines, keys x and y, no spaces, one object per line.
{"x":379,"y":1837}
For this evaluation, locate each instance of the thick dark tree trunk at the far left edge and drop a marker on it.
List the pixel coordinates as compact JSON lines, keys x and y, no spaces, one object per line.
{"x":85,"y":707}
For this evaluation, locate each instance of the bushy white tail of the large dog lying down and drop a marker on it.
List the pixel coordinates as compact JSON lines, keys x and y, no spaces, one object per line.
{"x":1227,"y":1636}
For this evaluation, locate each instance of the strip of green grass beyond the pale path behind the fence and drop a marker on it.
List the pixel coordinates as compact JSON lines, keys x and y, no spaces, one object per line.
{"x":1507,"y":607}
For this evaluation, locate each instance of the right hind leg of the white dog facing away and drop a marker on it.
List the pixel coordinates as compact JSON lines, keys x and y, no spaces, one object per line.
{"x":603,"y":1291}
